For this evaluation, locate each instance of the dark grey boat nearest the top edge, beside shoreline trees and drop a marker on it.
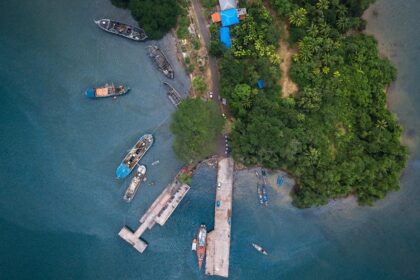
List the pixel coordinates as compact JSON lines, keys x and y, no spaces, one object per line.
{"x":122,"y":29}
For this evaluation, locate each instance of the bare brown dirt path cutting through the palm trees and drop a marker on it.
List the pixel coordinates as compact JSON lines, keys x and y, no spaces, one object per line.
{"x":285,"y":54}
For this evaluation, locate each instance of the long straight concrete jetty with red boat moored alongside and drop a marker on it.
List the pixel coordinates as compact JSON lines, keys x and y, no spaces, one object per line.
{"x":218,"y":240}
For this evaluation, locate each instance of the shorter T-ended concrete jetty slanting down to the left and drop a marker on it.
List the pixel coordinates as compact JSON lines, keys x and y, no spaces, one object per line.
{"x":159,"y":212}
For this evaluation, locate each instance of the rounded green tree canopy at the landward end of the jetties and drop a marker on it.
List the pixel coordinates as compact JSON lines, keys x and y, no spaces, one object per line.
{"x":196,"y":125}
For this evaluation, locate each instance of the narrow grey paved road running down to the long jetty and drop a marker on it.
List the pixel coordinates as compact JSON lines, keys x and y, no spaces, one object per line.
{"x":214,"y":71}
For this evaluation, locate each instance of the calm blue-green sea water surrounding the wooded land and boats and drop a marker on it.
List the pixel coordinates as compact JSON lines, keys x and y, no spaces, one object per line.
{"x":61,"y":206}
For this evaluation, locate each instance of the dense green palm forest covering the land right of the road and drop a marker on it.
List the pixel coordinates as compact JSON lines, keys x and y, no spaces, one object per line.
{"x":334,"y":134}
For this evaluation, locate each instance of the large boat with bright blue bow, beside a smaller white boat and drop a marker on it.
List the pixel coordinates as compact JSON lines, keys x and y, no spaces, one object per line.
{"x":134,"y":156}
